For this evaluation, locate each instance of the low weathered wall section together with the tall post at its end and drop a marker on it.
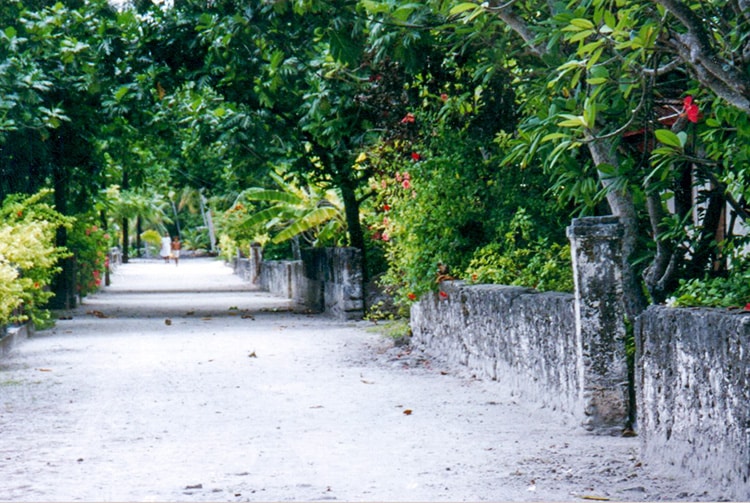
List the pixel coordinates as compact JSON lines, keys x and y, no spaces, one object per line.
{"x":563,"y":351}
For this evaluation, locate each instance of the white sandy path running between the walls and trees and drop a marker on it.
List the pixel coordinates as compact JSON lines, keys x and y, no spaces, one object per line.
{"x":239,"y":399}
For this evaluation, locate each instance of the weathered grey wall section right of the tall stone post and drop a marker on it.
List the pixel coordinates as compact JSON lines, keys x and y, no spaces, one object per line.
{"x":693,"y":392}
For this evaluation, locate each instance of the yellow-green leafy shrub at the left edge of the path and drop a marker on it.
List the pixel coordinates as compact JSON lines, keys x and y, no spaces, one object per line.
{"x":28,"y":256}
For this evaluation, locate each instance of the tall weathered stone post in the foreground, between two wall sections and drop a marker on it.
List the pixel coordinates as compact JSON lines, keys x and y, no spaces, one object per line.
{"x":596,"y":247}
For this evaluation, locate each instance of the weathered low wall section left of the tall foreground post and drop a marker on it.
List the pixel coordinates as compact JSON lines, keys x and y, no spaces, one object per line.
{"x":520,"y":337}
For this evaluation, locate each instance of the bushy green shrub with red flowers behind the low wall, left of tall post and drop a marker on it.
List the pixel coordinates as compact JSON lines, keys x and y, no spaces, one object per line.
{"x":451,"y":203}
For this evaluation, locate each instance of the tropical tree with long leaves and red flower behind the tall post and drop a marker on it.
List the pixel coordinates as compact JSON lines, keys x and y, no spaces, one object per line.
{"x":600,"y":79}
